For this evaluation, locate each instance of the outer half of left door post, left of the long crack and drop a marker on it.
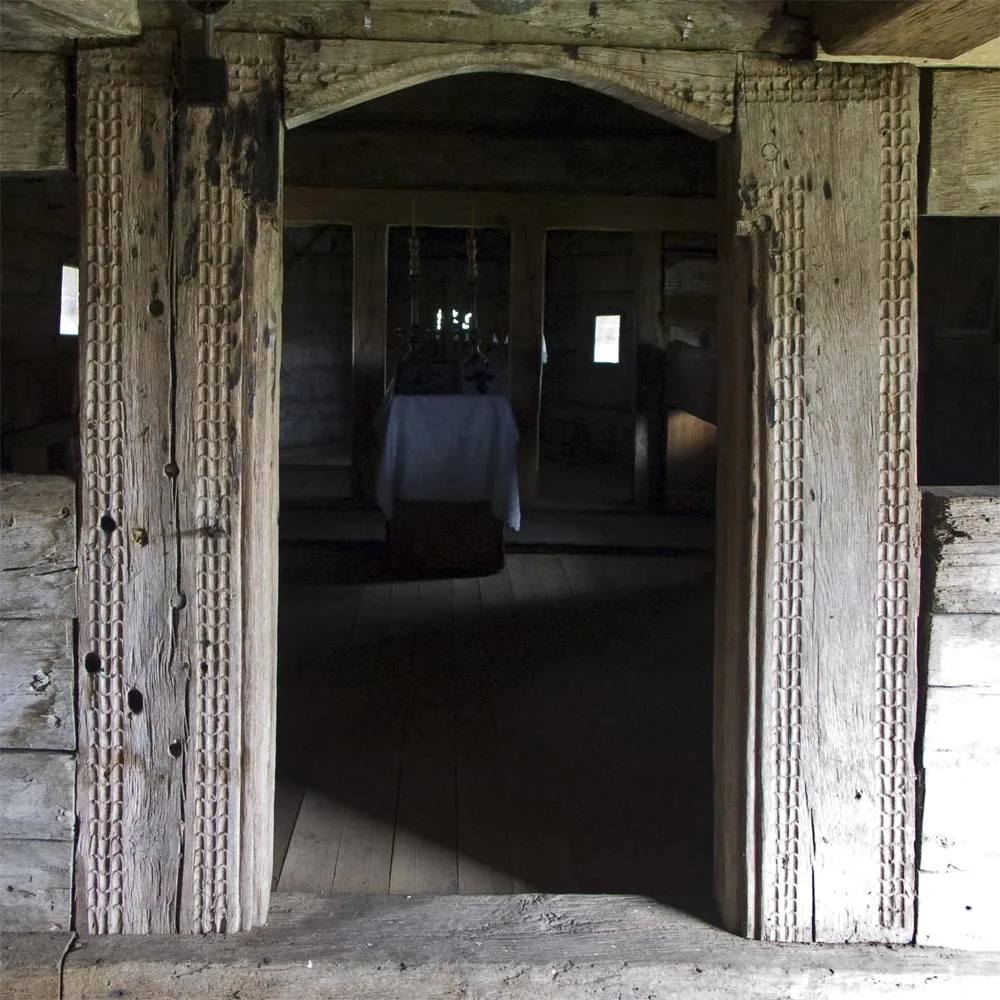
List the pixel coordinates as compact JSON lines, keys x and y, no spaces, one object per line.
{"x":131,"y":685}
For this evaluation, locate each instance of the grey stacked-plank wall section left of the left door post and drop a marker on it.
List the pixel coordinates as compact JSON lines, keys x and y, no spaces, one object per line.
{"x":37,"y":716}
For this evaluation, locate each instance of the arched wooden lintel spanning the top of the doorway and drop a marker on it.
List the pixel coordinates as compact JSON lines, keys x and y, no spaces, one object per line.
{"x":693,"y":89}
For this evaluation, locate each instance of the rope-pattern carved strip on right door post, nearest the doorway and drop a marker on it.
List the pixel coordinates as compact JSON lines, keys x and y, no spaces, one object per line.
{"x":782,"y":916}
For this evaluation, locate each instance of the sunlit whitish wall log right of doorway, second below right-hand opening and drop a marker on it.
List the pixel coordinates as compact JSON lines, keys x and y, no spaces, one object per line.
{"x":964,"y":651}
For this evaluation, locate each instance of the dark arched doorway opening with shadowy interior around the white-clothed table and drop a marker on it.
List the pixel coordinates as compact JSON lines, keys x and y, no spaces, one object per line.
{"x":547,"y":727}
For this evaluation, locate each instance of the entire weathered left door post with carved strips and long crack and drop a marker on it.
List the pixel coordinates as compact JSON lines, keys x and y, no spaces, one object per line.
{"x":182,"y":260}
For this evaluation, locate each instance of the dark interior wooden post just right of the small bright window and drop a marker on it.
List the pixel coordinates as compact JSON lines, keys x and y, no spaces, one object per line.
{"x":647,"y":279}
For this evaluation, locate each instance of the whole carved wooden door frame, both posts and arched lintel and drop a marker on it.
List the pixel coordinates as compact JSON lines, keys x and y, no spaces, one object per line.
{"x":178,"y":544}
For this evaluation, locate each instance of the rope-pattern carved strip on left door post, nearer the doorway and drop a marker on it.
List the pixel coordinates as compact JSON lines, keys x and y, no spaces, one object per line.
{"x":214,"y":421}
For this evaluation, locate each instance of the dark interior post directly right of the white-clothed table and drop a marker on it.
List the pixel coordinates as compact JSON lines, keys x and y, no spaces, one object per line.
{"x":527,"y":320}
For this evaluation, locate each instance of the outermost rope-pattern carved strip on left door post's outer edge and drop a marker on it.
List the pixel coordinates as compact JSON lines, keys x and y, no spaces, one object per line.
{"x":104,"y":557}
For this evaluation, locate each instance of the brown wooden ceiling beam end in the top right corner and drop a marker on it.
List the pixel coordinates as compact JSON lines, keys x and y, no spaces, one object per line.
{"x":937,"y":29}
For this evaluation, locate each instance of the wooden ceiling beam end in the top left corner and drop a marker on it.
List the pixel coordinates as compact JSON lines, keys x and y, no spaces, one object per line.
{"x":33,"y":23}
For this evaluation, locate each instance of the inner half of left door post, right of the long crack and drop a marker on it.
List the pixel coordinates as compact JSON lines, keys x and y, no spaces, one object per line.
{"x":228,"y":269}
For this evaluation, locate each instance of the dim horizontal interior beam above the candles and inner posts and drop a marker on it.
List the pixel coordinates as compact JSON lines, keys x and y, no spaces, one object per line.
{"x":319,"y":206}
